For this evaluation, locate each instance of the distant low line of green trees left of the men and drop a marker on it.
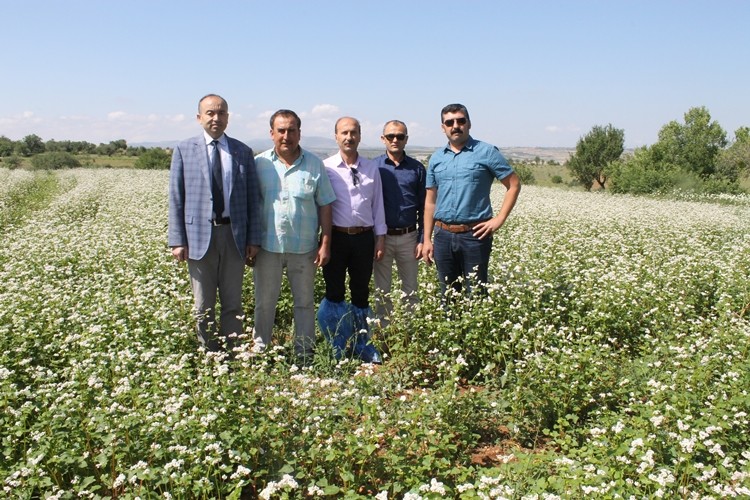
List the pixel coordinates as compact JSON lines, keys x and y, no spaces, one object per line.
{"x":54,"y":154}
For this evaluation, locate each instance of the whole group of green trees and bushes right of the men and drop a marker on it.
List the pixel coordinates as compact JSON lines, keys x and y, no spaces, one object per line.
{"x":695,"y":155}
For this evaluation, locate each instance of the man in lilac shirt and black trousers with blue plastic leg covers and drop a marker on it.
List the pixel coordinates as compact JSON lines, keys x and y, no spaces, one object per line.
{"x":358,"y":238}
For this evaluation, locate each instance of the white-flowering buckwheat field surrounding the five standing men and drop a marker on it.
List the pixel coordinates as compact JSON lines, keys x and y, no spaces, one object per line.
{"x":609,"y":359}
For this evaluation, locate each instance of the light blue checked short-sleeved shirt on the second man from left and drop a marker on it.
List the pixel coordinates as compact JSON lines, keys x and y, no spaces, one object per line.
{"x":290,"y":198}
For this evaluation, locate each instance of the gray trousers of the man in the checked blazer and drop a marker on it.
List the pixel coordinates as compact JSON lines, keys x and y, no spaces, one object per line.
{"x":222,"y":270}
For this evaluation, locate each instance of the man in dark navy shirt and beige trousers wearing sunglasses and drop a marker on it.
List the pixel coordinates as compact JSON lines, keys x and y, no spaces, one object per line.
{"x":403,"y":180}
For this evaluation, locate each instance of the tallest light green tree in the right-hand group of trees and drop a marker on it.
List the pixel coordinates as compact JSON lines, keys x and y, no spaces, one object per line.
{"x":694,"y":146}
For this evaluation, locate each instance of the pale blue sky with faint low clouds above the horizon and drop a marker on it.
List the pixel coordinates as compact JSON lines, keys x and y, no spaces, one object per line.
{"x":531,"y":73}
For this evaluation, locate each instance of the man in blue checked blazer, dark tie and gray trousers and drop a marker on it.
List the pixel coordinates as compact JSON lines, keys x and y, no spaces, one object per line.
{"x":214,"y":221}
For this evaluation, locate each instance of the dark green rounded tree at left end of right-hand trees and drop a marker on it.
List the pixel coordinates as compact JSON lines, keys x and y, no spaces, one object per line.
{"x":594,"y":153}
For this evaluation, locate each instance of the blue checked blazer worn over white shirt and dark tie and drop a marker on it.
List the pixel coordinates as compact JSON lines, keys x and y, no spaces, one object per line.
{"x":190,"y":200}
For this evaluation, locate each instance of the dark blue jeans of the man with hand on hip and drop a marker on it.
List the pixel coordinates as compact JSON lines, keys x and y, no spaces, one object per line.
{"x":461,"y":254}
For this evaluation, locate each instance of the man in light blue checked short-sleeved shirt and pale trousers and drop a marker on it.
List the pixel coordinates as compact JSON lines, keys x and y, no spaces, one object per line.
{"x":296,"y":197}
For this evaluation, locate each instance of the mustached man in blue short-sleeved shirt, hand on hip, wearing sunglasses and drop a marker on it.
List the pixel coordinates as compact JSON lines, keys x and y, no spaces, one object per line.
{"x":457,"y":205}
